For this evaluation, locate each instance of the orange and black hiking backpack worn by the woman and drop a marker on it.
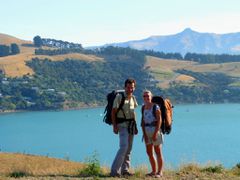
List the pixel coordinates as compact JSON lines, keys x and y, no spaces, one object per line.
{"x":166,"y":108}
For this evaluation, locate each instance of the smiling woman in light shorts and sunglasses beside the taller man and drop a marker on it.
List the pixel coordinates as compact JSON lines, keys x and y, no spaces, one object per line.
{"x":151,"y":123}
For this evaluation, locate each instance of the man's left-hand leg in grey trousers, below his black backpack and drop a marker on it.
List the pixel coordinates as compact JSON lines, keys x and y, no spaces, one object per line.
{"x":120,"y":156}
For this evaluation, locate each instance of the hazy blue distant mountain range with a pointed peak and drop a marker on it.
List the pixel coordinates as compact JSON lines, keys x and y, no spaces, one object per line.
{"x":188,"y":41}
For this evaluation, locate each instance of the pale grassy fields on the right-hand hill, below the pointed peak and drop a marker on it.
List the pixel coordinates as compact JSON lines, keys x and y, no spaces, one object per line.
{"x":163,"y":70}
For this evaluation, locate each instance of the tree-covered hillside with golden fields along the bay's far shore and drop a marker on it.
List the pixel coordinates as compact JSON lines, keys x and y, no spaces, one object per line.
{"x":61,"y":80}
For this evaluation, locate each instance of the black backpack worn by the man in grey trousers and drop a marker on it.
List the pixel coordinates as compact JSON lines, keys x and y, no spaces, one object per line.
{"x":108,"y":109}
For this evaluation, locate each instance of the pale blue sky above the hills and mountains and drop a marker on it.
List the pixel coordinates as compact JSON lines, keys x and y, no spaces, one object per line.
{"x":98,"y":22}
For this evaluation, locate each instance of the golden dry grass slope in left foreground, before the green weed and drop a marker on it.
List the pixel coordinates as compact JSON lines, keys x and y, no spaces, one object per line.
{"x":37,"y":165}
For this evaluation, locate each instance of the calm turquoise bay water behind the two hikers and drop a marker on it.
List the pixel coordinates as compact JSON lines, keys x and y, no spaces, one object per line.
{"x":201,"y":133}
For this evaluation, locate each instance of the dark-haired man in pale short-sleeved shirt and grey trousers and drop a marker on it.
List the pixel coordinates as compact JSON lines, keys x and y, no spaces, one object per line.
{"x":124,"y":124}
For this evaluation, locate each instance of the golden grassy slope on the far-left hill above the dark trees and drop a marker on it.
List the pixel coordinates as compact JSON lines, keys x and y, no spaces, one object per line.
{"x":15,"y":65}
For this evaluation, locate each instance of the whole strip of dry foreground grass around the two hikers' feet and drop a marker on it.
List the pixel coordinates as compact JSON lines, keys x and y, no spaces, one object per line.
{"x":39,"y":167}
